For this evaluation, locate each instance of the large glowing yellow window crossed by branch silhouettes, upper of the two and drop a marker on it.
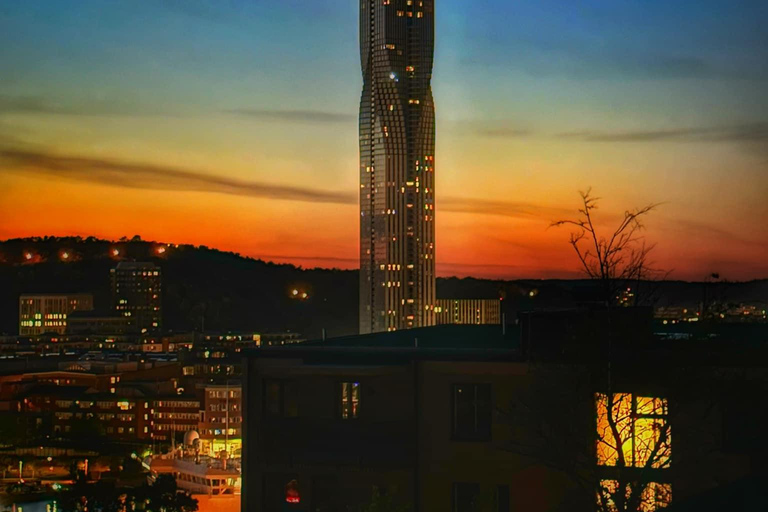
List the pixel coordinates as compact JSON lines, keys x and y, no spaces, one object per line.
{"x":633,"y":431}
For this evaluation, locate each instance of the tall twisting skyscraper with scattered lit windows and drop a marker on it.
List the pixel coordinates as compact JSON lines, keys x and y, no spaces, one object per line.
{"x":397,"y":165}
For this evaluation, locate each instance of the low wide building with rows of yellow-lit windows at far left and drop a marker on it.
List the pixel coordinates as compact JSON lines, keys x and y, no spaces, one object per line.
{"x":39,"y":314}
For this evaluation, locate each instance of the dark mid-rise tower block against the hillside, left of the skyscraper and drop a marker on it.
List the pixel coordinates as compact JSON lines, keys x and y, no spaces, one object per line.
{"x":137,"y":293}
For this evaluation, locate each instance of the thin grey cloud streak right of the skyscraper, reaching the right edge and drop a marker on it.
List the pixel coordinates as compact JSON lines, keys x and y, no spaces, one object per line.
{"x":749,"y":132}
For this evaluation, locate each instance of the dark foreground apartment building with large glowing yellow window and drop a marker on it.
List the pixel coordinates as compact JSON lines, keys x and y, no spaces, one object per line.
{"x":513,"y":423}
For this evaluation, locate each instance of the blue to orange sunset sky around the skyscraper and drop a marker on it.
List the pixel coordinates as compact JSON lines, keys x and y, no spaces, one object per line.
{"x":233,"y":124}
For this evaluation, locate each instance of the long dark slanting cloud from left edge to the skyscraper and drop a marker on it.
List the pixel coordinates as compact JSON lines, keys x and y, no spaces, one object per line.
{"x":146,"y":176}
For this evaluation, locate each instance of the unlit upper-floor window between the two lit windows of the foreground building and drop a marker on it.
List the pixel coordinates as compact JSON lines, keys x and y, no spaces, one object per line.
{"x":471,"y":412}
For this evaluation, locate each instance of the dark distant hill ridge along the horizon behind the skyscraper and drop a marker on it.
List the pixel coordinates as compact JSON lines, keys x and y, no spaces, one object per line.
{"x":232,"y":292}
